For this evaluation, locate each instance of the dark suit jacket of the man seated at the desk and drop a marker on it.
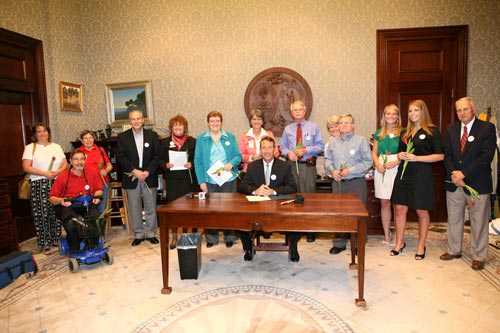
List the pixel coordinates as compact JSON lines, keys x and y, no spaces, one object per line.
{"x":283,"y":182}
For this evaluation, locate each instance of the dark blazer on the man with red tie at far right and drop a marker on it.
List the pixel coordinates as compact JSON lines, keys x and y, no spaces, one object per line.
{"x":475,"y":161}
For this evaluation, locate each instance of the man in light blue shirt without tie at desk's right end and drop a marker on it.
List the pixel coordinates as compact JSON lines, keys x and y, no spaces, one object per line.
{"x":347,"y":159}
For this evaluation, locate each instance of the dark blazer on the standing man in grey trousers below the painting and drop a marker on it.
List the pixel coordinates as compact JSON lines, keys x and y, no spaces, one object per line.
{"x":128,"y":157}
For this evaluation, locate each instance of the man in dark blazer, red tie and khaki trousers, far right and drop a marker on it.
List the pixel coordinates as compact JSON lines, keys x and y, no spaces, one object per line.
{"x":469,"y":148}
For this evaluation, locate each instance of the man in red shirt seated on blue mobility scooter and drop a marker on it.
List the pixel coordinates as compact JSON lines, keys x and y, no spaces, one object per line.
{"x":76,"y":194}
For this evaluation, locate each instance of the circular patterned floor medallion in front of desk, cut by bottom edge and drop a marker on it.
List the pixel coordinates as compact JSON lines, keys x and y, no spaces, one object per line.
{"x":247,"y":309}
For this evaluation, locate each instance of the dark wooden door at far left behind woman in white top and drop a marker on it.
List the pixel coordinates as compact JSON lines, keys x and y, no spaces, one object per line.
{"x":23,"y":103}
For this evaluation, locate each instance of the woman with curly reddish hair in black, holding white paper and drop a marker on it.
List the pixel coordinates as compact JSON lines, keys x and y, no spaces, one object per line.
{"x":180,"y":179}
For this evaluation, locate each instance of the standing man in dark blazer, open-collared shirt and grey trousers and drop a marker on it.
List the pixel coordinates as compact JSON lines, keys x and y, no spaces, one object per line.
{"x":137,"y":154}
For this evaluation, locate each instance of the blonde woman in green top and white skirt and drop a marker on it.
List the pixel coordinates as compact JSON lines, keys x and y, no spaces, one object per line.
{"x":385,"y":160}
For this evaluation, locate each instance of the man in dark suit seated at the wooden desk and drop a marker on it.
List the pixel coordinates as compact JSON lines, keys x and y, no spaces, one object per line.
{"x":267,"y":177}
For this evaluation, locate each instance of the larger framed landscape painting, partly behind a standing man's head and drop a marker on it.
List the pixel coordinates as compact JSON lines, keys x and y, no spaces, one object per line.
{"x":125,"y":97}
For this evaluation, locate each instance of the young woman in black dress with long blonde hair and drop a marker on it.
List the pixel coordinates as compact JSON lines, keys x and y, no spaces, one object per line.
{"x":414,"y":185}
